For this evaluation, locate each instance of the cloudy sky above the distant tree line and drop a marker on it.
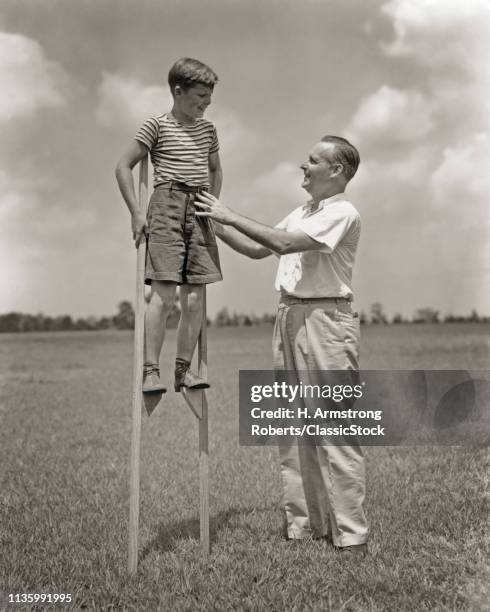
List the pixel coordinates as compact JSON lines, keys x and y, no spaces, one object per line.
{"x":407,"y":81}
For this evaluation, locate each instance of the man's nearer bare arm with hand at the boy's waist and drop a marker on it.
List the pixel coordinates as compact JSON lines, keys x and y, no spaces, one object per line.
{"x":277,"y":240}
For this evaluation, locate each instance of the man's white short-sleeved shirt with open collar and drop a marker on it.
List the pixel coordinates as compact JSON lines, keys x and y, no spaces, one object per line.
{"x":326,"y":272}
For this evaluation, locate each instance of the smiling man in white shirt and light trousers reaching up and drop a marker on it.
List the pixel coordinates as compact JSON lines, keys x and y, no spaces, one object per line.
{"x":315,"y":330}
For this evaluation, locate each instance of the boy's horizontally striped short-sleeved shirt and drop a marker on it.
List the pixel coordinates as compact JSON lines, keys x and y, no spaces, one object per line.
{"x":179,"y":152}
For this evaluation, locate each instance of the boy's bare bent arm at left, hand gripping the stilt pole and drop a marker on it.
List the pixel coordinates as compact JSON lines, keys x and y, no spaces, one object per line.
{"x":124,"y":175}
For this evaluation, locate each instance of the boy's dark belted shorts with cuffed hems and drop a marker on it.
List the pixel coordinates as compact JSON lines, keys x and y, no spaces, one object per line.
{"x":181,"y":246}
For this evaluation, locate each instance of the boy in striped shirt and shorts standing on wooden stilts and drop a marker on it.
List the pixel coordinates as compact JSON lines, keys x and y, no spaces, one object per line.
{"x":182,"y":247}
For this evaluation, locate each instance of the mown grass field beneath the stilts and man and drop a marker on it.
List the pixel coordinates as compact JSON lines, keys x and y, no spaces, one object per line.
{"x":65,"y":403}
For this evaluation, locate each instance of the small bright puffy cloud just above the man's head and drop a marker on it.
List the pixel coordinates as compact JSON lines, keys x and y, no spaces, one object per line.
{"x":392,"y":116}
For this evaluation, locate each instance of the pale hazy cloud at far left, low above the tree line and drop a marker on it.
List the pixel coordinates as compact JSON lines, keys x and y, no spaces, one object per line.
{"x":50,"y":249}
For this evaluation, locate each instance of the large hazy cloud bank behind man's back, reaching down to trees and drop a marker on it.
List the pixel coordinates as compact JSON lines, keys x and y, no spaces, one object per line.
{"x":426,"y":225}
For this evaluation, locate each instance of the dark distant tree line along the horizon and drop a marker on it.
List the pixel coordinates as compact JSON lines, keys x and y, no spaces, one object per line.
{"x":124,"y":319}
